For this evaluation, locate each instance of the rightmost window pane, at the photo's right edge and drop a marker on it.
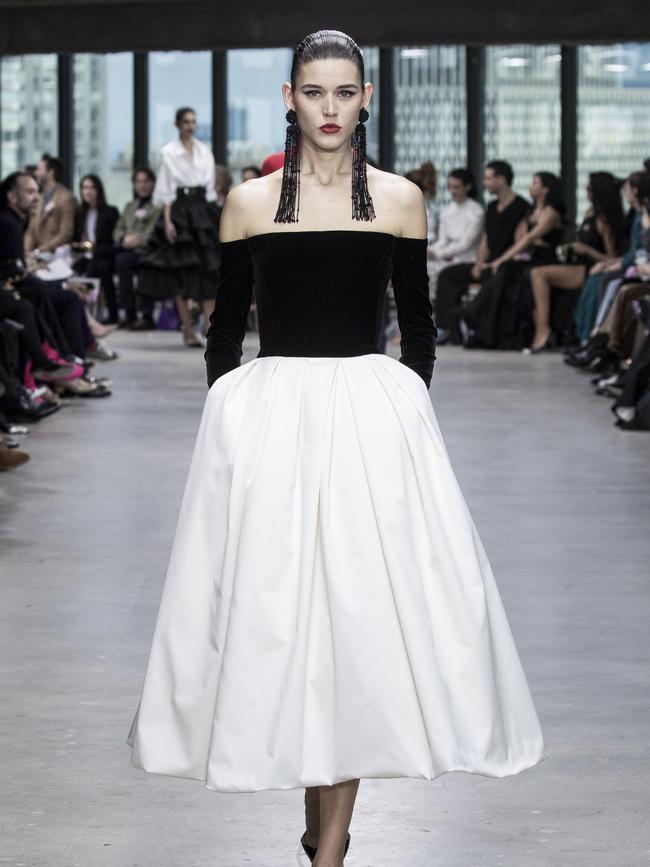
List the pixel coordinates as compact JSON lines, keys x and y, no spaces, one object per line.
{"x":613,"y":111}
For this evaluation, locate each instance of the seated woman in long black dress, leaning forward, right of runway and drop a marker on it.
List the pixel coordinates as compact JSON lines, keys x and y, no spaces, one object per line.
{"x":500,"y":317}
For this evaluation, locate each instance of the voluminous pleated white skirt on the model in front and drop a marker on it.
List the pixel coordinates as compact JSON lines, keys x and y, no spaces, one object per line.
{"x":328,"y":611}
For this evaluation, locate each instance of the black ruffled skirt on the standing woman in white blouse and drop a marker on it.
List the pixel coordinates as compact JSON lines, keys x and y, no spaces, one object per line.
{"x":189,"y":266}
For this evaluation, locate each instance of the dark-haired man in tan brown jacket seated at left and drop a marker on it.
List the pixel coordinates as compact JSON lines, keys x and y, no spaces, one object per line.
{"x":52,"y":224}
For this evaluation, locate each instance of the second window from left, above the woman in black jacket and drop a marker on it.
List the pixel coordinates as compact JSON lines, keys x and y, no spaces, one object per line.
{"x":103,"y":127}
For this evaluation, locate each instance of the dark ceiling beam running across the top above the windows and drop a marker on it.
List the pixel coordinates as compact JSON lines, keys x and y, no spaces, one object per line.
{"x":28,"y":26}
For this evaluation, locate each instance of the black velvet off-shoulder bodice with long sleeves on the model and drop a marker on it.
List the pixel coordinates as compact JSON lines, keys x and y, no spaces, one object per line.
{"x":321,"y":293}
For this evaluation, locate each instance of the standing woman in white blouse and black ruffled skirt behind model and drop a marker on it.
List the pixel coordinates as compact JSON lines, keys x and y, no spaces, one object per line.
{"x":183,"y":256}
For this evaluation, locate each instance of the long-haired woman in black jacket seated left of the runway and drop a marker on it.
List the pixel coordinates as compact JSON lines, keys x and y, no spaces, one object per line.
{"x":95,"y":221}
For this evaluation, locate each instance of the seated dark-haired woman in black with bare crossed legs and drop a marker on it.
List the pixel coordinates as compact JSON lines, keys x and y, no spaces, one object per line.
{"x":600,"y":237}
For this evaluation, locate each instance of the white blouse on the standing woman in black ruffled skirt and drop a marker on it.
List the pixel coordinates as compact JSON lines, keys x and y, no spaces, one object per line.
{"x":180,"y":169}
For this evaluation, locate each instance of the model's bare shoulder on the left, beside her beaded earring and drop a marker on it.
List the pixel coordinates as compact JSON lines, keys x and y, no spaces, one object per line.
{"x":250,"y":207}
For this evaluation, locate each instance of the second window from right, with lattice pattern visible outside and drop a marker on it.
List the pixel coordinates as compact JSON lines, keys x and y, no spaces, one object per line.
{"x":522,"y":109}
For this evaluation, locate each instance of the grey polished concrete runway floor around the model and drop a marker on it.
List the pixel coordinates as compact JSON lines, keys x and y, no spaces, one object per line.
{"x":561,"y":500}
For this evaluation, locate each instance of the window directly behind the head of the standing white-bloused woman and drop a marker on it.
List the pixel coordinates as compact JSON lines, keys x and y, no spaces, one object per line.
{"x":178,"y":79}
